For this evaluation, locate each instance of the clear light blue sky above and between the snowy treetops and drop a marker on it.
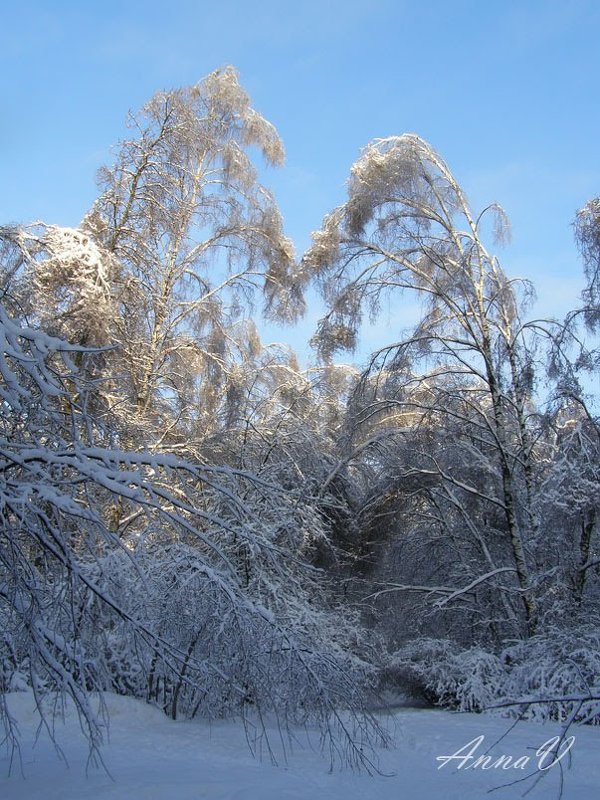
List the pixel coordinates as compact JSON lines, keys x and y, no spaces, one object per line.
{"x":506,"y":91}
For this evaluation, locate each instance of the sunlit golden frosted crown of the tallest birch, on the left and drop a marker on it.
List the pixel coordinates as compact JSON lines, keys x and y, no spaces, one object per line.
{"x":186,"y":240}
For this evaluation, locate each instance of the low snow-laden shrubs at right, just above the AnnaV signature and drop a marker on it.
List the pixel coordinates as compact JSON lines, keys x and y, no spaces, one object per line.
{"x":553,"y":675}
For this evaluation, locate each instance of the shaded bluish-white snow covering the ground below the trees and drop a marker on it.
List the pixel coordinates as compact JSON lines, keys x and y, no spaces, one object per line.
{"x":149,"y":756}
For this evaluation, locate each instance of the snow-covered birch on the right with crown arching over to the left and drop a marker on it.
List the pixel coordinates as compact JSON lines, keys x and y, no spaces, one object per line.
{"x":458,"y":388}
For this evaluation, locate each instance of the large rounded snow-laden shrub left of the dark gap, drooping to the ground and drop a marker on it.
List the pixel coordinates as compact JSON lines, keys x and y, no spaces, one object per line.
{"x":226,"y":653}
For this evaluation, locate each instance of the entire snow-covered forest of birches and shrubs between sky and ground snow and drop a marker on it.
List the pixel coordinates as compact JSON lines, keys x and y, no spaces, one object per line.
{"x":191,"y":518}
